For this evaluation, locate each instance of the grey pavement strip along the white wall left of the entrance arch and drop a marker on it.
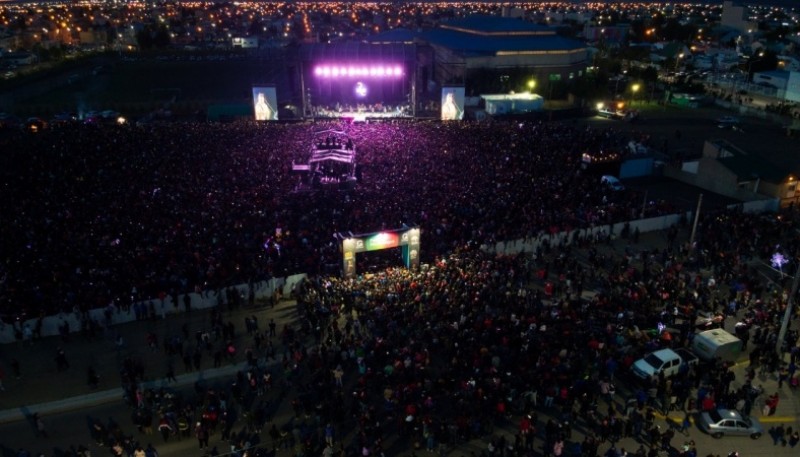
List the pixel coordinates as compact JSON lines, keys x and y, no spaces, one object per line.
{"x":42,"y":388}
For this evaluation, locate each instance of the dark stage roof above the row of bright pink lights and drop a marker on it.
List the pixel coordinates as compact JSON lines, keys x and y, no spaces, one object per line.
{"x":353,"y":51}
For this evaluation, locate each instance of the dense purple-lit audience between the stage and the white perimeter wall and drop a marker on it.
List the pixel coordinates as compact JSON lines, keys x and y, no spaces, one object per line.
{"x":94,"y":216}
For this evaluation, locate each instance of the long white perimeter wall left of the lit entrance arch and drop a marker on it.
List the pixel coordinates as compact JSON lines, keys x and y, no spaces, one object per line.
{"x":261,"y":290}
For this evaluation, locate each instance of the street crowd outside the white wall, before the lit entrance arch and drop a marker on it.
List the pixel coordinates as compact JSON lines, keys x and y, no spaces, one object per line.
{"x":473,"y":346}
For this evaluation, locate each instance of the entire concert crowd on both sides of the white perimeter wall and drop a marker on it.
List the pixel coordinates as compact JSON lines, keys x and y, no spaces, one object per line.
{"x":469,"y":345}
